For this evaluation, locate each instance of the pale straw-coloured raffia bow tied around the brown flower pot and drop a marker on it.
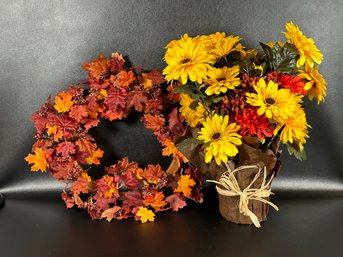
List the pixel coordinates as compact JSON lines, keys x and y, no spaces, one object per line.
{"x":228,"y":186}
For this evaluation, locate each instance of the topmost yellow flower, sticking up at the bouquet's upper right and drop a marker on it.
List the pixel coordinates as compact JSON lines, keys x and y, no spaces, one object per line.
{"x":307,"y":49}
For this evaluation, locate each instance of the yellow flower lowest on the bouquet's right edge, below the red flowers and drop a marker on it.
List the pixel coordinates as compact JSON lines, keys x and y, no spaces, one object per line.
{"x":294,"y":130}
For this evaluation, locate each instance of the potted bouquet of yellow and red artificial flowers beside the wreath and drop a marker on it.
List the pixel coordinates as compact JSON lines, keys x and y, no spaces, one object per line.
{"x":238,"y":105}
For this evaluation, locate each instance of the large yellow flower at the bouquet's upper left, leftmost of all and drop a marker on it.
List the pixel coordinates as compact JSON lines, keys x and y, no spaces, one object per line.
{"x":187,"y":60}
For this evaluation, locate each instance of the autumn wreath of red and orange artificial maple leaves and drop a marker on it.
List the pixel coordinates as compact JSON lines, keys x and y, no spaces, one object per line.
{"x":64,"y":144}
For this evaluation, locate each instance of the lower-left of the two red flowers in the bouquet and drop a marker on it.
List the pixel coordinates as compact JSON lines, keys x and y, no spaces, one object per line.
{"x":252,"y":124}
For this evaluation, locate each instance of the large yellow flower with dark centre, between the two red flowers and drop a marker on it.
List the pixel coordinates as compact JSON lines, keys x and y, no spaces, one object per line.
{"x":274,"y":103}
